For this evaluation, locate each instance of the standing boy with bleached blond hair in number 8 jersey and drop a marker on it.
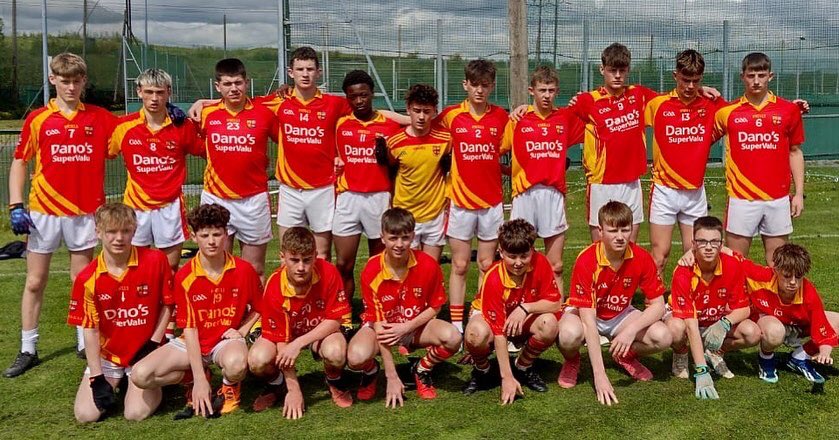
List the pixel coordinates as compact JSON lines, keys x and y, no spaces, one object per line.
{"x":154,"y":150}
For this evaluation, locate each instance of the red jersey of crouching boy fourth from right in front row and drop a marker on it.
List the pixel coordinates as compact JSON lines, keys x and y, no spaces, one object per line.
{"x":500,"y":295}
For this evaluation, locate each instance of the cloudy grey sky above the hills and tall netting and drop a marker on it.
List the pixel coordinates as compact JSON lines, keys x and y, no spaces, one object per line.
{"x":469,"y":27}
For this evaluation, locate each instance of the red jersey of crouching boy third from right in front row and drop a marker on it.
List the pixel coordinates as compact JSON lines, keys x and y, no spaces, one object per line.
{"x":594,"y":284}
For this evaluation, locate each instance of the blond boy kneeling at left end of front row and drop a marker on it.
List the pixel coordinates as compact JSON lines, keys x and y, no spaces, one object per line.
{"x":126,"y":302}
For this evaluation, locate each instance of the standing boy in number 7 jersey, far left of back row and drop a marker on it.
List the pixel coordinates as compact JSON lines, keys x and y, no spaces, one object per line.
{"x":68,"y":141}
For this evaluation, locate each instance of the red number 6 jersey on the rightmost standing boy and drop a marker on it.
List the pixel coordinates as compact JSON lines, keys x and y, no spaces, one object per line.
{"x":757,"y":146}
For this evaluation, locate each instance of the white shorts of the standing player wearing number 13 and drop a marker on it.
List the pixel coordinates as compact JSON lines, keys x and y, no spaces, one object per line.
{"x":669,"y":205}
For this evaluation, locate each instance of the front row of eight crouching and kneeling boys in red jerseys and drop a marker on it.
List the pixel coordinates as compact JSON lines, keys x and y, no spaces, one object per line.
{"x":720,"y":302}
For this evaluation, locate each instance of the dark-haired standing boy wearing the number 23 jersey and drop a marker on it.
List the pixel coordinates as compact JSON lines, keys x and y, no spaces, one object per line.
{"x":236,"y":133}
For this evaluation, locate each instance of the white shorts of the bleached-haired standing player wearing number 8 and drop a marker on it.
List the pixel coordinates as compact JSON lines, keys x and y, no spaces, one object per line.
{"x":163,"y":227}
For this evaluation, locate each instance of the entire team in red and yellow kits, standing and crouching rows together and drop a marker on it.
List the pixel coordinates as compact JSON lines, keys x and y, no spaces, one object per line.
{"x":68,"y":139}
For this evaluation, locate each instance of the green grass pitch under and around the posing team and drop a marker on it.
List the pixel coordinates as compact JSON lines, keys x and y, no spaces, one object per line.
{"x":39,"y":404}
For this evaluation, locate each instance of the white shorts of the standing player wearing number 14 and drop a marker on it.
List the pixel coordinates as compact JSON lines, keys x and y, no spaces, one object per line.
{"x":313,"y":208}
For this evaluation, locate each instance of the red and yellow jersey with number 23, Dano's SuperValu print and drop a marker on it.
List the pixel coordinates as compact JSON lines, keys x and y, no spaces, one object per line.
{"x":237,"y":149}
